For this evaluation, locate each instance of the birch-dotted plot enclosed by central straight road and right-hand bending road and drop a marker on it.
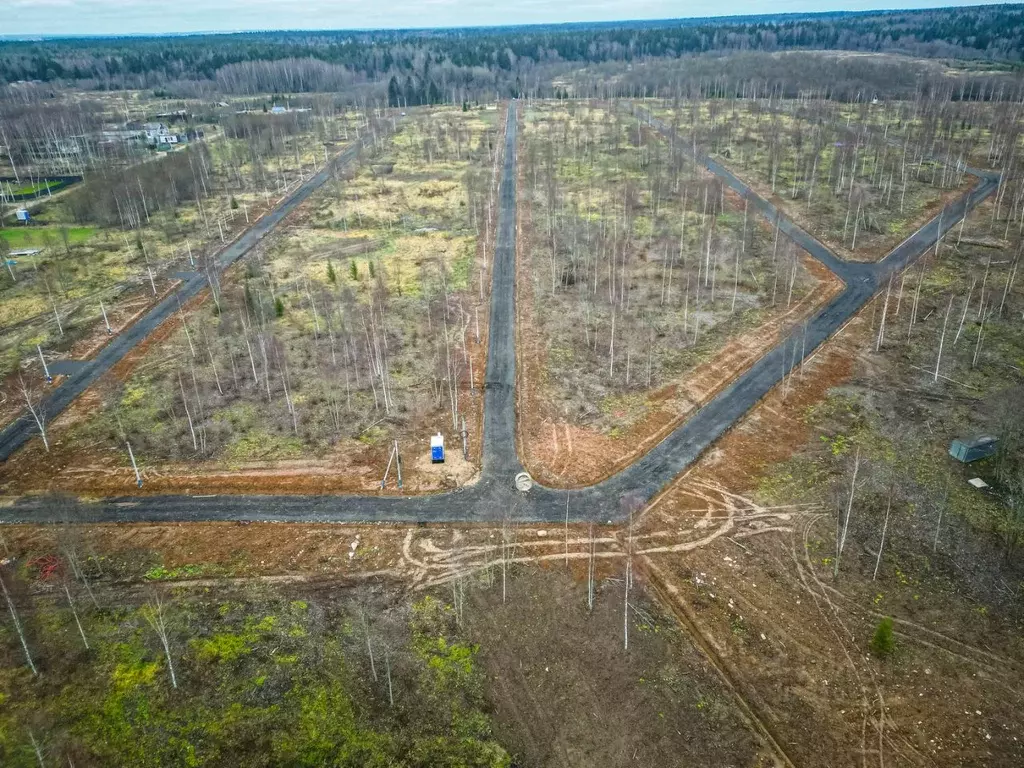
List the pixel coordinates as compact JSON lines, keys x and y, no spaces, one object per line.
{"x":647,"y":287}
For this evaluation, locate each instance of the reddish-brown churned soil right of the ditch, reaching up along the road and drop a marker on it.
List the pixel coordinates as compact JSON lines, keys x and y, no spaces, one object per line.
{"x":760,"y":601}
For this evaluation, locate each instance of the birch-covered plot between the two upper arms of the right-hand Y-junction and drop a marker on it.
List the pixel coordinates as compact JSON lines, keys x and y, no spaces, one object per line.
{"x":847,"y":182}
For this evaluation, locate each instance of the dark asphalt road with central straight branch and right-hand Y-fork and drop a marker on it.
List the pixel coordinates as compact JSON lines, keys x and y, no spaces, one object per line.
{"x":493,"y":497}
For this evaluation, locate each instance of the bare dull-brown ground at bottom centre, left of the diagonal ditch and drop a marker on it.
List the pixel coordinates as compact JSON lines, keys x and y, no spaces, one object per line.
{"x":670,"y":708}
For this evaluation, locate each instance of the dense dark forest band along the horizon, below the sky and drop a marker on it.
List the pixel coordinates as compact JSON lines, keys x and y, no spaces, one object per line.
{"x":429,"y":66}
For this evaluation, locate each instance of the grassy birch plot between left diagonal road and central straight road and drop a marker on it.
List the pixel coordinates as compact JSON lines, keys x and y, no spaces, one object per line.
{"x":355,"y":326}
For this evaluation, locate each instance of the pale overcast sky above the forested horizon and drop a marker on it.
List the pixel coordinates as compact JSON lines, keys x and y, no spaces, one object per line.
{"x":127,"y":17}
